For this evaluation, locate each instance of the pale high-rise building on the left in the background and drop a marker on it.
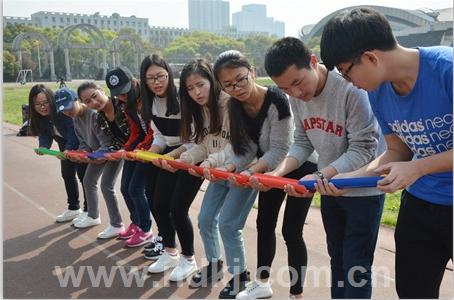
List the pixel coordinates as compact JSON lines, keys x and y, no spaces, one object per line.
{"x":209,"y":15}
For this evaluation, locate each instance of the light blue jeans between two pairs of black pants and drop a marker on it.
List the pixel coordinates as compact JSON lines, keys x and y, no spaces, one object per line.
{"x":224,"y":210}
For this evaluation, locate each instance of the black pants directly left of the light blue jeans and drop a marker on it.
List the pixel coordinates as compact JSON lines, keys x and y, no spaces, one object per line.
{"x":173,"y":195}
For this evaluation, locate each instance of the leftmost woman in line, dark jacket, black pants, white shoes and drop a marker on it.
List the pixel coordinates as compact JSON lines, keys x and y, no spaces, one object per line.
{"x":50,"y":126}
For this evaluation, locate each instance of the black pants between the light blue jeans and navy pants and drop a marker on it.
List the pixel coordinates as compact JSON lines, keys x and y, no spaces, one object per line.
{"x":296,"y":210}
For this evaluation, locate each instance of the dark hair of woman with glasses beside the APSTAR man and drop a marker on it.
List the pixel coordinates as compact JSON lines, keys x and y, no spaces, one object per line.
{"x":233,"y":59}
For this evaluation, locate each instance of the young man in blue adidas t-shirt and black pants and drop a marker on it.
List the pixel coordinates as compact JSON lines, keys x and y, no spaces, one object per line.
{"x":410,"y":91}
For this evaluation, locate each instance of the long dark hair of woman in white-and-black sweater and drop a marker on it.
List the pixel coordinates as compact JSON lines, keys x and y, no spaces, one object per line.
{"x":173,"y":107}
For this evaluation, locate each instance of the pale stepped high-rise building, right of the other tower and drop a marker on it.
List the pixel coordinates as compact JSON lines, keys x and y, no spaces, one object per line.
{"x":252,"y":17}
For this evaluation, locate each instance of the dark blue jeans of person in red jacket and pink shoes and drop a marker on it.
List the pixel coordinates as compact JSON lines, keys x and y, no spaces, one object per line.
{"x":133,"y":182}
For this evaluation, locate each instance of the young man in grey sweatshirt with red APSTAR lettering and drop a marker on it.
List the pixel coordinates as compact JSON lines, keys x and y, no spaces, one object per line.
{"x":334,"y":118}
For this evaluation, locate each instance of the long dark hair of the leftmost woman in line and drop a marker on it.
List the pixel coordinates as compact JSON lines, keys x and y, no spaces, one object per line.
{"x":35,"y":117}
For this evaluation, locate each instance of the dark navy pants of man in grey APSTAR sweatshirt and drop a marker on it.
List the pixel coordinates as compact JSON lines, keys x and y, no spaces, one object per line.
{"x":351,"y":225}
